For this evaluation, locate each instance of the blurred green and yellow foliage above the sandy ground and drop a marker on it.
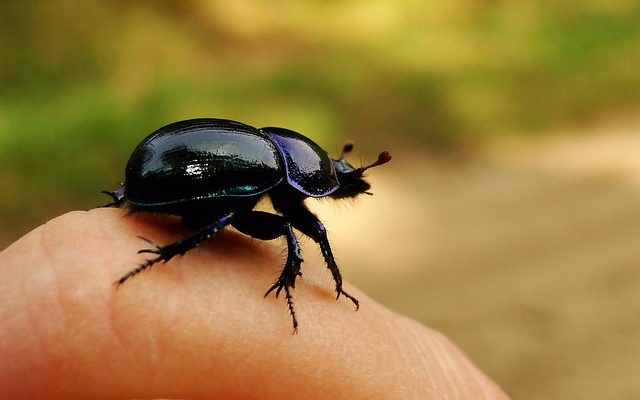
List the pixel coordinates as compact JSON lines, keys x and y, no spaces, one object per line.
{"x":82,"y":82}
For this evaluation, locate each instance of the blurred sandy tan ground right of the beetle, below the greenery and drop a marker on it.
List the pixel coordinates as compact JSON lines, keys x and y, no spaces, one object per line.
{"x":528,"y":256}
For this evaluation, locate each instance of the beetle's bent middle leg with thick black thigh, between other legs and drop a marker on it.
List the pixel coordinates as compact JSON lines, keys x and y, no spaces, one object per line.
{"x":266,"y":226}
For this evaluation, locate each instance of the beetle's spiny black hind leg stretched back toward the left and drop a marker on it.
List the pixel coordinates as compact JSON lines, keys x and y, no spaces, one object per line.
{"x":178,"y":248}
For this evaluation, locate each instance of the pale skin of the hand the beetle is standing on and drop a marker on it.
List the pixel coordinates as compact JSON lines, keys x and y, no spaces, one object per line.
{"x":198,"y":326}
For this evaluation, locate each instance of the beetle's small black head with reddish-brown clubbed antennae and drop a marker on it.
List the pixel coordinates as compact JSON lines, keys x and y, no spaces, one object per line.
{"x":351,"y":179}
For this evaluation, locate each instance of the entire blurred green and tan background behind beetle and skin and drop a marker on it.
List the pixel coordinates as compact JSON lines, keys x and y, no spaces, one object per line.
{"x":512,"y":126}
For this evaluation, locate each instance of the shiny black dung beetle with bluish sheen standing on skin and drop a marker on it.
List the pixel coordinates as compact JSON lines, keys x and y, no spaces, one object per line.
{"x":212,"y":172}
